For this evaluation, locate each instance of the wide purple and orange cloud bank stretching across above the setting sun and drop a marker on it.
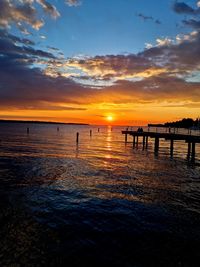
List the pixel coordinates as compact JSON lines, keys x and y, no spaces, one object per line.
{"x":24,"y":86}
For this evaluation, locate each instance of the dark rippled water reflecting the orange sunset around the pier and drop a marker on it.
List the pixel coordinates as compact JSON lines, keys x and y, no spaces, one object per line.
{"x":99,"y":204}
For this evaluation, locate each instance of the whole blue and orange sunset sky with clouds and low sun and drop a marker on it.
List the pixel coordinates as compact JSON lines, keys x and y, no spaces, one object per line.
{"x":120,"y":62}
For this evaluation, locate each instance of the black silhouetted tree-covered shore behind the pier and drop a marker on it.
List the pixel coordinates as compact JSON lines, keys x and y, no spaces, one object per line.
{"x":184,"y":123}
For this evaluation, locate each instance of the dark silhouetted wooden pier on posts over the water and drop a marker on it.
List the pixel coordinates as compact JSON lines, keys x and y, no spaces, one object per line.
{"x":191,"y":140}
